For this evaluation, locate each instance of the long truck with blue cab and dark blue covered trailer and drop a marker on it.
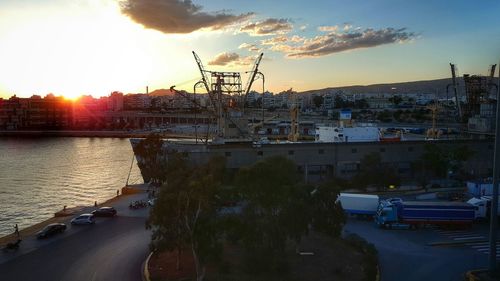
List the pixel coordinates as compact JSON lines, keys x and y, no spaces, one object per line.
{"x":414,"y":214}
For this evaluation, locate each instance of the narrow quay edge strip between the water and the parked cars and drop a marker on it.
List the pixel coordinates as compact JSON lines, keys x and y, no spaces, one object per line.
{"x":33,"y":229}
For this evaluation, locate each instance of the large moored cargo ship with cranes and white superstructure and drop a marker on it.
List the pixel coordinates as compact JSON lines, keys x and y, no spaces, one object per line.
{"x":337,"y":151}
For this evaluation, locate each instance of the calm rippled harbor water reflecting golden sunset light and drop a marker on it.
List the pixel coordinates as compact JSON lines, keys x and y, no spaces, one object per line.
{"x":38,"y":176}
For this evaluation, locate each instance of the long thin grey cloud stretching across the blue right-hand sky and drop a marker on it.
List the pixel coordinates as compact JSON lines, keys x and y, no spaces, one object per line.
{"x":336,"y":41}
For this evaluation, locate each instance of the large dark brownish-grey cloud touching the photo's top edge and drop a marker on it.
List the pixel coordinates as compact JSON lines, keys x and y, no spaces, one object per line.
{"x":177,"y":16}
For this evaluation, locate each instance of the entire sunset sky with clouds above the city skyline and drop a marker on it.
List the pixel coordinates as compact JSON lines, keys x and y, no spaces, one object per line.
{"x":75,"y":47}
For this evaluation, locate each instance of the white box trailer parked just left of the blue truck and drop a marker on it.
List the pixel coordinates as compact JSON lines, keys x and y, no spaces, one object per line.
{"x":359,"y":204}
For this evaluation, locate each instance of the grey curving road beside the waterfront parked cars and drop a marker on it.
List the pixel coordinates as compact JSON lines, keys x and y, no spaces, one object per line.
{"x":112,"y":249}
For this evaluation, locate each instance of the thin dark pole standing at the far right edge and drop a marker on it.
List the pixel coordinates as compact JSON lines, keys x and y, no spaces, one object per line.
{"x":494,"y":200}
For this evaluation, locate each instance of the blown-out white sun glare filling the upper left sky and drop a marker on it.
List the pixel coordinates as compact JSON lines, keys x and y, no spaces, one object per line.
{"x":72,"y":51}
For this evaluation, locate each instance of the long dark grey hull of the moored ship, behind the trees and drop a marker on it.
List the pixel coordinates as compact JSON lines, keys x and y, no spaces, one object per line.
{"x":320,"y":161}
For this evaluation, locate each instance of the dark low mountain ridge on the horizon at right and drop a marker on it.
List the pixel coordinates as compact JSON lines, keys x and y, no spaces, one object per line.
{"x":427,"y":86}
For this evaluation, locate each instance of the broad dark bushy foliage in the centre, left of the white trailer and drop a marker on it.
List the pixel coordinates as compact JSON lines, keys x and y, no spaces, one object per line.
{"x":277,"y":210}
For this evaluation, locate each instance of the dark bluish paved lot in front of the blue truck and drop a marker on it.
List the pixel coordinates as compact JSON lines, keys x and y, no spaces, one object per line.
{"x":406,"y":255}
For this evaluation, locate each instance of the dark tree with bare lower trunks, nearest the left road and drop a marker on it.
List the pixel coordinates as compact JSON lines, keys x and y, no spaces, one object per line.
{"x":185,"y":214}
